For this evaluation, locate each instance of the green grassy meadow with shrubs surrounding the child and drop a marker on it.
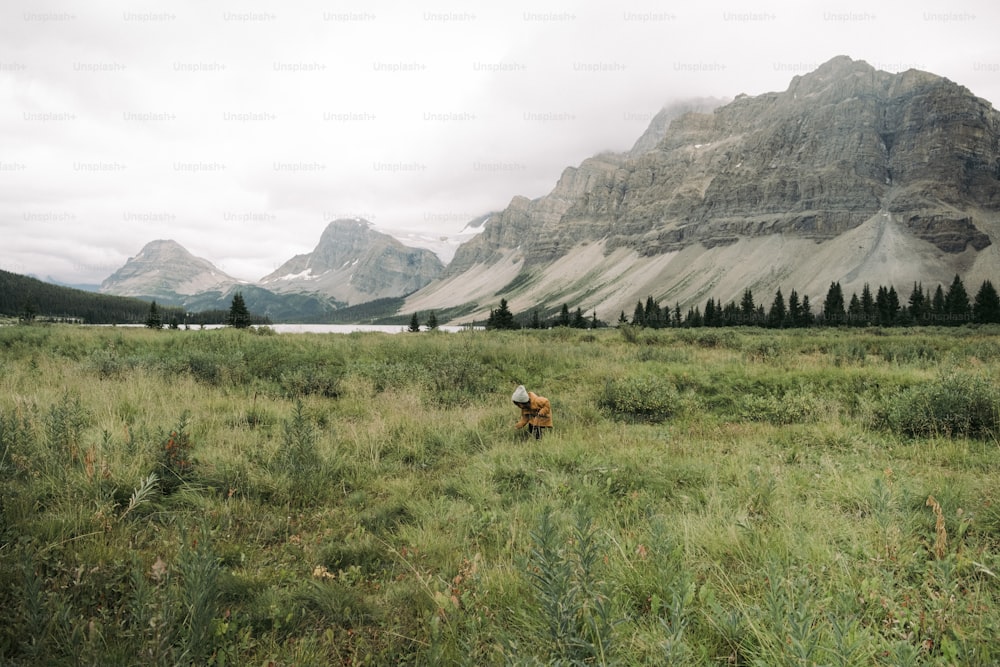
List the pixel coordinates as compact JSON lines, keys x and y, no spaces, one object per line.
{"x":707,"y":497}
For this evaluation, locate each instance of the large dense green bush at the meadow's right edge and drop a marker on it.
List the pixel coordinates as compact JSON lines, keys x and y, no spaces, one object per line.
{"x":956,"y":405}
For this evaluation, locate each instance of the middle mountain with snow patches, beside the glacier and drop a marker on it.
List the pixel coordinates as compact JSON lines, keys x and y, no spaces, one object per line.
{"x":354,"y":263}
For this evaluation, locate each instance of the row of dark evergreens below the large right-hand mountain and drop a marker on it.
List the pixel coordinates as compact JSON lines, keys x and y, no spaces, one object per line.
{"x":879,"y":307}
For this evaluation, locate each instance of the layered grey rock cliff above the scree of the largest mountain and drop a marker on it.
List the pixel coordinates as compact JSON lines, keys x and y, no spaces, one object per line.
{"x":841,"y":144}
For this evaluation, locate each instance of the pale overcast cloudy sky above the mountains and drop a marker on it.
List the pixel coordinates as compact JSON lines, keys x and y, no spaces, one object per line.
{"x":240,"y":128}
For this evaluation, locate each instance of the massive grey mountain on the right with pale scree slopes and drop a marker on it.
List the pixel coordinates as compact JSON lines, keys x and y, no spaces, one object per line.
{"x":851,"y":175}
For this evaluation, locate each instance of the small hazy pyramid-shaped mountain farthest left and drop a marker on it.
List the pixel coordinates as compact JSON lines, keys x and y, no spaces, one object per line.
{"x":165,"y":271}
